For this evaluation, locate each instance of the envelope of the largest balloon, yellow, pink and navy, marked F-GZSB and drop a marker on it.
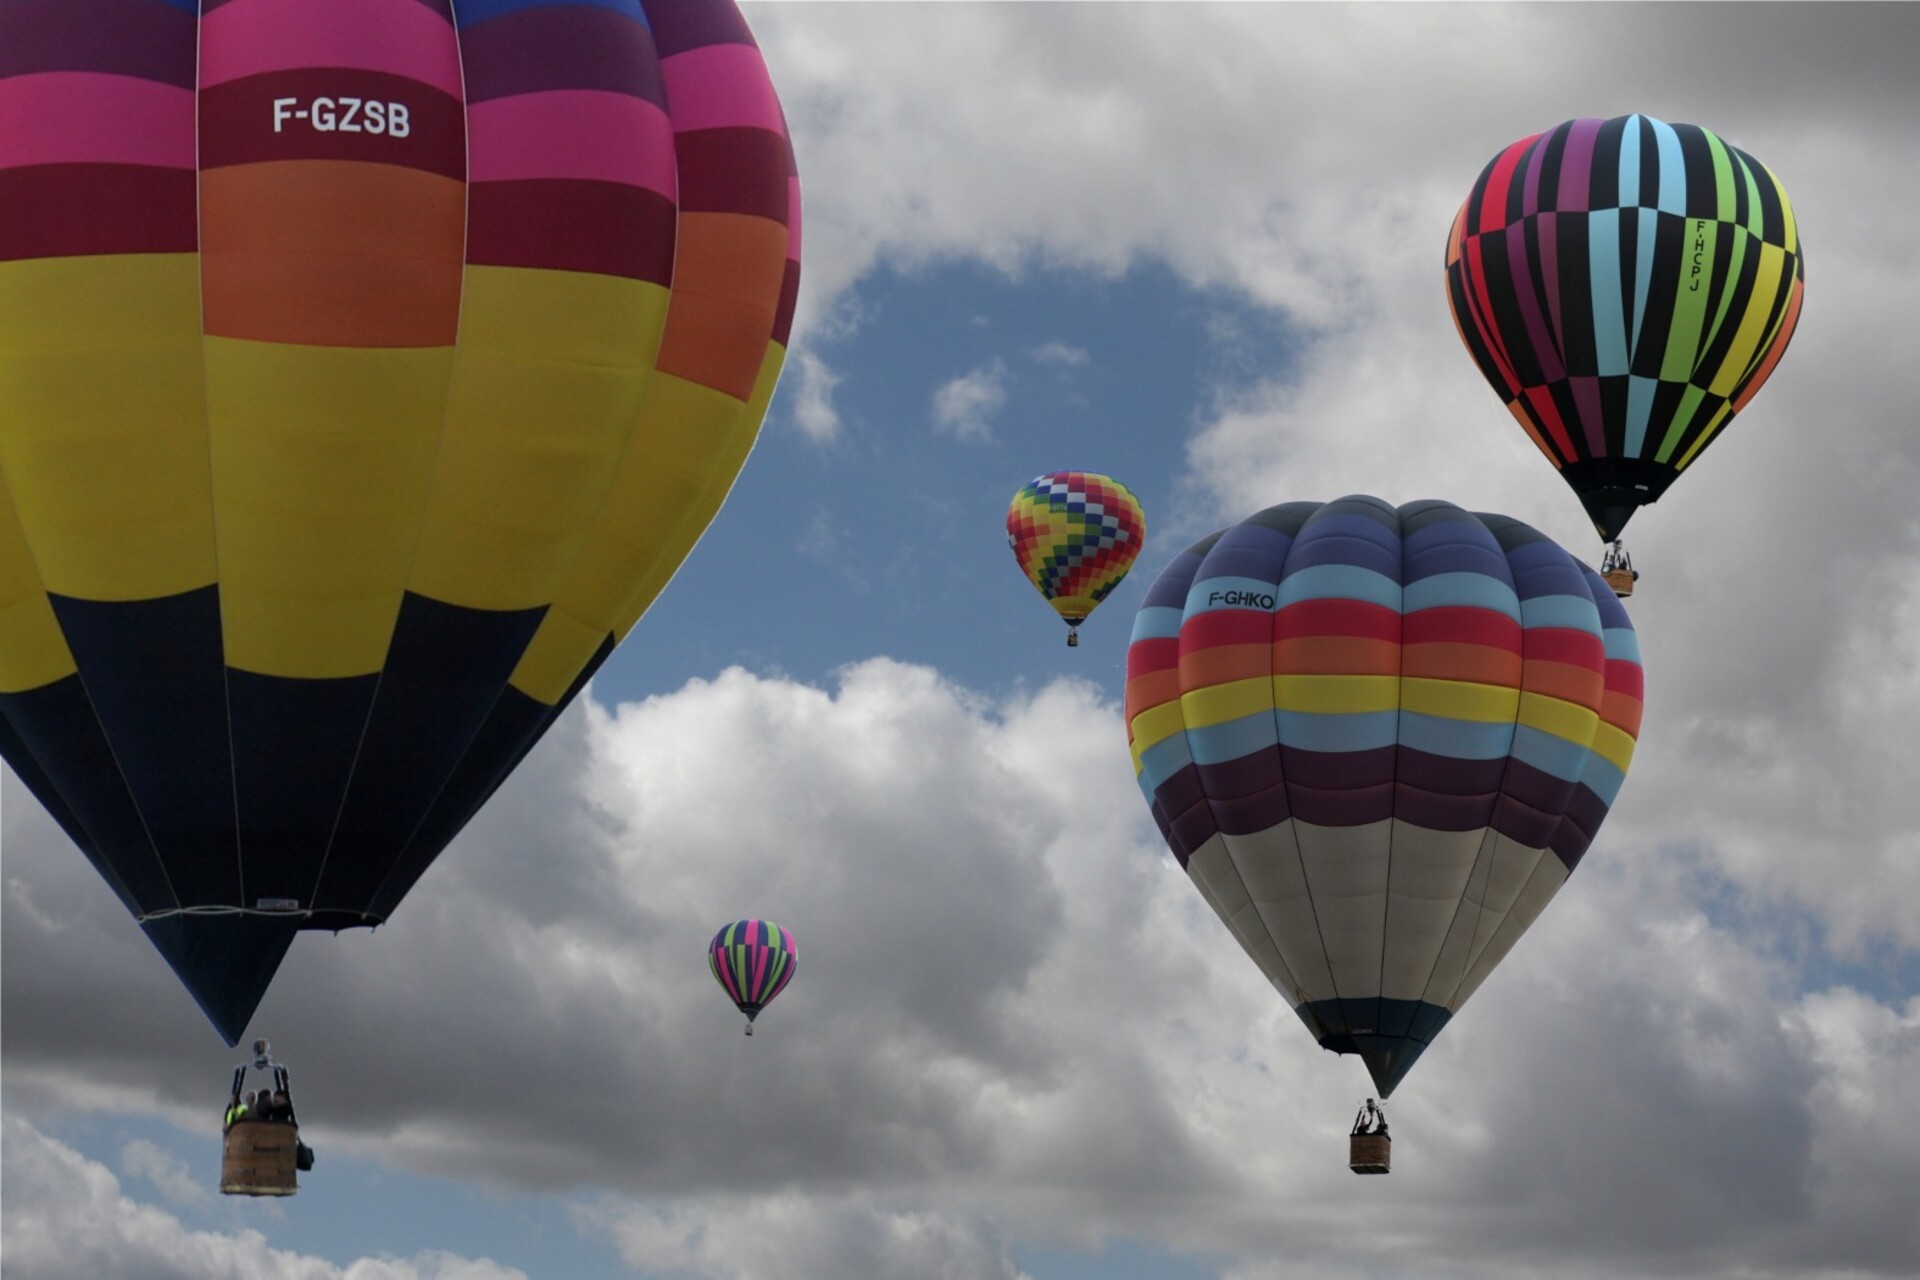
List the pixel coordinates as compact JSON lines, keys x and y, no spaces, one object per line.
{"x":366,"y":371}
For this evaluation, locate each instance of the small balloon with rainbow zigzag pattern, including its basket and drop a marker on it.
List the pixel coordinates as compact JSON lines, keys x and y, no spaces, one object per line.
{"x":1076,"y":534}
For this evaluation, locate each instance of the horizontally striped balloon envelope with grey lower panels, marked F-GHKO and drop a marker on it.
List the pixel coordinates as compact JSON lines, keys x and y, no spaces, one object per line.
{"x":1380,"y":740}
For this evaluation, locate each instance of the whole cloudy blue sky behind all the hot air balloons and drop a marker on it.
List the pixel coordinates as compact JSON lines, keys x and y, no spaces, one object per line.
{"x":1199,"y":249}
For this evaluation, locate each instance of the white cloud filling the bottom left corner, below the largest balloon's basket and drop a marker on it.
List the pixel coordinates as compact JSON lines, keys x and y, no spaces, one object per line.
{"x":70,"y":1220}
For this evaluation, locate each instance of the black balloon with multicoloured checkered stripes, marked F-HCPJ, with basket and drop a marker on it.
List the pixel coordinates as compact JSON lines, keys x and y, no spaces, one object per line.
{"x":1625,"y":287}
